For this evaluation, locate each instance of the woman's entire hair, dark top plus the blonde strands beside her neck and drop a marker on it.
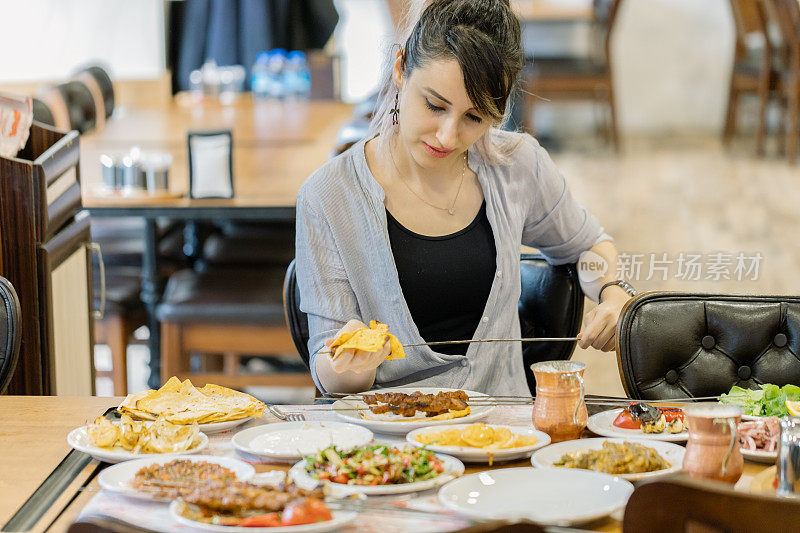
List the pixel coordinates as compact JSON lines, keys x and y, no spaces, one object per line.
{"x":484,"y":37}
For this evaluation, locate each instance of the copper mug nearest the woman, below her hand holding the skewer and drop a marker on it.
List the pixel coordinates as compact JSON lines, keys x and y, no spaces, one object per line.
{"x":559,"y":409}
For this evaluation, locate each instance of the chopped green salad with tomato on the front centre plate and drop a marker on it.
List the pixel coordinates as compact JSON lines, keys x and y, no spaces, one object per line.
{"x":375,"y":464}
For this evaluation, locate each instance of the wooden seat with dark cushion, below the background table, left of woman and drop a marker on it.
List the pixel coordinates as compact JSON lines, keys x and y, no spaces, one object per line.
{"x":223,"y":315}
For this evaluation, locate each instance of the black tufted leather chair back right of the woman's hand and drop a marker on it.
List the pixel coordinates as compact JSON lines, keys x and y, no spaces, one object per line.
{"x":671,"y":345}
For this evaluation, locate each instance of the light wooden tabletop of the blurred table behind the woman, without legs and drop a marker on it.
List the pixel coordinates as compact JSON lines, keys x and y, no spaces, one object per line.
{"x":276,"y":146}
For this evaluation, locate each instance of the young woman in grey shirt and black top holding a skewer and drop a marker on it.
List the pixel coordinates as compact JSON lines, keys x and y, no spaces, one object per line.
{"x":419,"y":225}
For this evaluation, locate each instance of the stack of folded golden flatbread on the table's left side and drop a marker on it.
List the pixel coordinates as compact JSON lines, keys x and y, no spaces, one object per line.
{"x":182,"y":403}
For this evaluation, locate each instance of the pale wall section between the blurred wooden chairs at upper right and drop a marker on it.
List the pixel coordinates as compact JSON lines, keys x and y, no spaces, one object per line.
{"x":673,"y":62}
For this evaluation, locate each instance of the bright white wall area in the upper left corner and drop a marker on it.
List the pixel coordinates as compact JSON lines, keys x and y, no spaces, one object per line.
{"x":47,"y":39}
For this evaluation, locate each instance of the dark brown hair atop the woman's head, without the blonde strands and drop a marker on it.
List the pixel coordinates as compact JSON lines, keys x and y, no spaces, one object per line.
{"x":483,"y":36}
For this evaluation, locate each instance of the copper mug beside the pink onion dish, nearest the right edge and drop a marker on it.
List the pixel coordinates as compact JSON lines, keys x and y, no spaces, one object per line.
{"x":713,"y":450}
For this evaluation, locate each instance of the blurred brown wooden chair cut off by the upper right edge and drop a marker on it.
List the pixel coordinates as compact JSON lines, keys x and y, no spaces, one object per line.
{"x":787,"y":17}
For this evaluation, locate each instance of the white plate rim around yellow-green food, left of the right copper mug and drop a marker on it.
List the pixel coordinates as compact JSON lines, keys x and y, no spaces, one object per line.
{"x":672,"y":453}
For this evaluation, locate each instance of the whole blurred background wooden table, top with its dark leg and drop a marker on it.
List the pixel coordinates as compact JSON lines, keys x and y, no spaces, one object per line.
{"x":276,"y":146}
